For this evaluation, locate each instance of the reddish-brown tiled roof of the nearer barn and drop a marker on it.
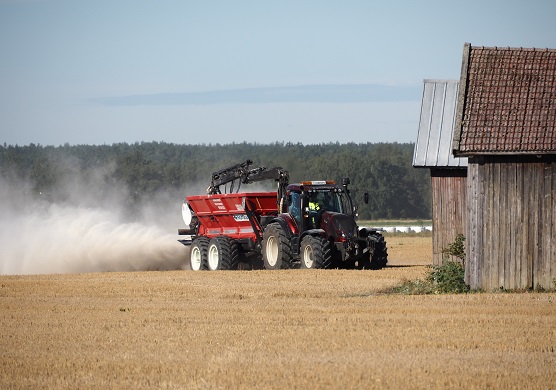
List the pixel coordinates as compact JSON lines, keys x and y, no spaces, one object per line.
{"x":507,"y":103}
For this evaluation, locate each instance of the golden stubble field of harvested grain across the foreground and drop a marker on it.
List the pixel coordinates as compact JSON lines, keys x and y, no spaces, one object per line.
{"x":270,"y":329}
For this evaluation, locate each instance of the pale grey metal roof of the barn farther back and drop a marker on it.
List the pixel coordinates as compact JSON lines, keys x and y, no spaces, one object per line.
{"x":434,"y":136}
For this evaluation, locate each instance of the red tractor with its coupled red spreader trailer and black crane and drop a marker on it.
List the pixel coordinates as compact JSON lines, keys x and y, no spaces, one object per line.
{"x":308,"y":224}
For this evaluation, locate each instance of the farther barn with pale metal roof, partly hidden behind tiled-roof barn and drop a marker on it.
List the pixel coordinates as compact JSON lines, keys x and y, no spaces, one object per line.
{"x":433,"y":150}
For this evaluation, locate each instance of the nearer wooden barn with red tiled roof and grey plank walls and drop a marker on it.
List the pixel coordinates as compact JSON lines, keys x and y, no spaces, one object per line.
{"x":506,"y":126}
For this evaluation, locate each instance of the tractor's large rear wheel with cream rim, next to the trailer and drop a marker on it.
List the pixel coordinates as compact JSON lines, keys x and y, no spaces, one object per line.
{"x":276,"y":248}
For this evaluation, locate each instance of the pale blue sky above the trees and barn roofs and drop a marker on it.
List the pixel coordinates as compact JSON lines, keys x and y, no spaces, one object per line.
{"x":99,"y":72}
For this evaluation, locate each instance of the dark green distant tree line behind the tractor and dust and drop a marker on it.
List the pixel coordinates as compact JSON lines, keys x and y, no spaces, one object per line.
{"x":384,"y":170}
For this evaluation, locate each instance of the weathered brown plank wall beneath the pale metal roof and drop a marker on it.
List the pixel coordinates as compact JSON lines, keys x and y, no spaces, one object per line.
{"x":449,"y":189}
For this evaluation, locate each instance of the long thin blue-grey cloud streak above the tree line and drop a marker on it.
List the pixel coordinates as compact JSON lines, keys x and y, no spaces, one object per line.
{"x":334,"y":93}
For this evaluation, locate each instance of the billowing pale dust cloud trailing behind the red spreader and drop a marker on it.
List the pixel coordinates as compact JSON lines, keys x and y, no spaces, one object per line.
{"x":95,"y":228}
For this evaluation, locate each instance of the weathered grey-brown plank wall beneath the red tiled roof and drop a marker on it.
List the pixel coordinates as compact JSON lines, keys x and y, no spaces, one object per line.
{"x":511,"y":236}
